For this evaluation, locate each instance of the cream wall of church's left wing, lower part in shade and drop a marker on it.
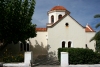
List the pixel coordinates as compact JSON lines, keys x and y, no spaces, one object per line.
{"x":38,"y":44}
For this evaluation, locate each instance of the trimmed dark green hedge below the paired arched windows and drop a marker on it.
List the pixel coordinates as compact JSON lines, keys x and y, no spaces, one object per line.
{"x":80,"y":55}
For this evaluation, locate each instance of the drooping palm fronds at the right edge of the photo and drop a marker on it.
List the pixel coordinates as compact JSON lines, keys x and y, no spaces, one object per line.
{"x":97,"y":35}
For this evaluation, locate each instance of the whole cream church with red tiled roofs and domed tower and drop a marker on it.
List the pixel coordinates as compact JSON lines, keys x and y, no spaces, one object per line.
{"x":62,"y":31}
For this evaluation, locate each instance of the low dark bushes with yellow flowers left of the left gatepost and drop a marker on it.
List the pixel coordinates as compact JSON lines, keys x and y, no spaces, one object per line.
{"x":8,"y":57}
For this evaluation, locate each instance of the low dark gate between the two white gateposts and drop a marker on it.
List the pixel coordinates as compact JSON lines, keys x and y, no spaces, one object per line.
{"x":45,"y":60}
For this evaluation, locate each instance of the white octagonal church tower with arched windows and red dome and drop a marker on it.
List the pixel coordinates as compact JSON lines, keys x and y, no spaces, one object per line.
{"x":56,"y":13}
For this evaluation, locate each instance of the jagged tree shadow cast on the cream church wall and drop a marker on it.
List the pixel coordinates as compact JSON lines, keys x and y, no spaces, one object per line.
{"x":41,"y":51}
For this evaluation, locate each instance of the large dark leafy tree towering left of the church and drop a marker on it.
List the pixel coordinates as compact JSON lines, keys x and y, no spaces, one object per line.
{"x":15,"y":21}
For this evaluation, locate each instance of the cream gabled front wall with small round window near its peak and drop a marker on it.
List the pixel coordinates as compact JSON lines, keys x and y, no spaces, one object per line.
{"x":74,"y":32}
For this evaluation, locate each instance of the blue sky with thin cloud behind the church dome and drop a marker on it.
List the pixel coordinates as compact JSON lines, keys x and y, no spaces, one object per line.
{"x":82,"y":11}
